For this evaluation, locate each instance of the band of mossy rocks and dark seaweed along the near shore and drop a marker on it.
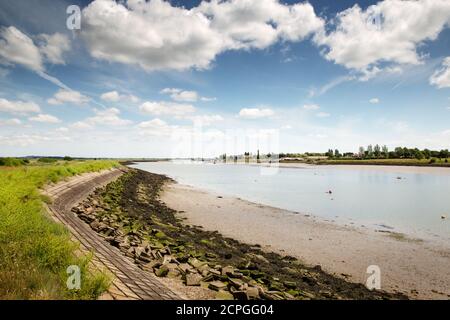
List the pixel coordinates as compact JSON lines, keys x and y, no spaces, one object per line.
{"x":129,"y":215}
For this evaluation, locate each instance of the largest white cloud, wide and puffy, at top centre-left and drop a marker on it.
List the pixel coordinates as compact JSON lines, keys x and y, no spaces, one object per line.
{"x":156,"y":35}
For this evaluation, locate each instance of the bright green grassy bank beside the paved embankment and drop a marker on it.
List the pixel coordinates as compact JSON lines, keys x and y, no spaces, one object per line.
{"x":34,"y":250}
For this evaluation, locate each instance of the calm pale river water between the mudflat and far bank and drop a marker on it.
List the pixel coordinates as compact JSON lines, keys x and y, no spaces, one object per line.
{"x":373,"y":197}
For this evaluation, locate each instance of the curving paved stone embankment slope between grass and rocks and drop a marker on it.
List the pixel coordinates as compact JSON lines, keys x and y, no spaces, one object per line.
{"x":130,"y":282}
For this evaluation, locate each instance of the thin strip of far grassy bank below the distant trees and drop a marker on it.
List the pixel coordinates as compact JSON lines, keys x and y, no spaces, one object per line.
{"x":381,"y":162}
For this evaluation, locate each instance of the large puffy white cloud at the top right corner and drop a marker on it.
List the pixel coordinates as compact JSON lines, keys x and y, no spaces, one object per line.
{"x":389,"y":32}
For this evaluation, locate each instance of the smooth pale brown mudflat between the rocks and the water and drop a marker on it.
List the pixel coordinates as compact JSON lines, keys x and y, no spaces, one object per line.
{"x":419,"y":269}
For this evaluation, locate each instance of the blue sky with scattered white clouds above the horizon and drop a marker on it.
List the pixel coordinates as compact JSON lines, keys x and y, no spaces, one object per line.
{"x":201,"y":78}
